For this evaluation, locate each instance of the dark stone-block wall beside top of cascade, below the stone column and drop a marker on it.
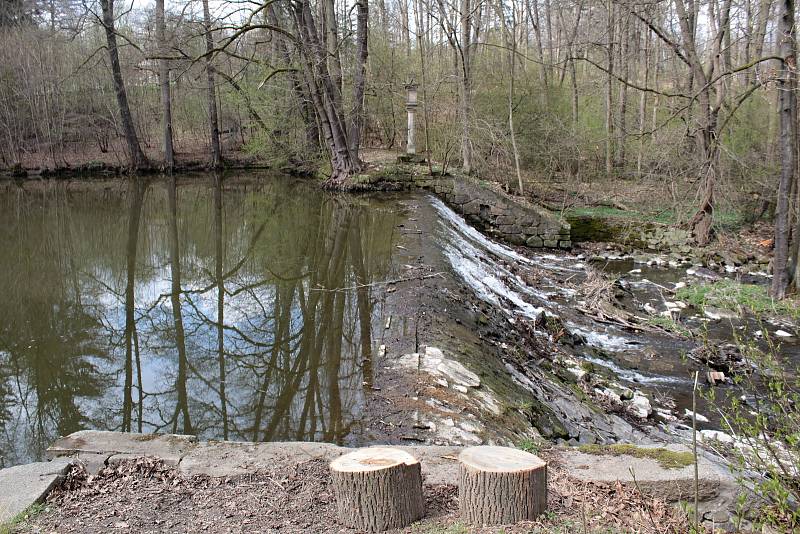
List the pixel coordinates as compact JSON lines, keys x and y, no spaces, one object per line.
{"x":493,"y":212}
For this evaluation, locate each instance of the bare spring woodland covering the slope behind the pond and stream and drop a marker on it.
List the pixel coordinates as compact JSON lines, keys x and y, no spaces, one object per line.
{"x":692,"y":99}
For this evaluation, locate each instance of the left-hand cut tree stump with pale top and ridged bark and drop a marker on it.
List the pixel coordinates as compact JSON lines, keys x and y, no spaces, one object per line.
{"x":378,"y":488}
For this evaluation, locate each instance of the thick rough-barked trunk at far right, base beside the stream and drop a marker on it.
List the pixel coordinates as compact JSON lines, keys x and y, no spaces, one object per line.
{"x":788,"y":109}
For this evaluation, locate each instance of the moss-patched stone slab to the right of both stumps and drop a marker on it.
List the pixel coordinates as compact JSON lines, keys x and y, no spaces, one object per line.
{"x":673,"y":485}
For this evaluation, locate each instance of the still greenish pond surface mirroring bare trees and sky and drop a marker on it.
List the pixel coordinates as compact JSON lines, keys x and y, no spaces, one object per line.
{"x":231,"y":309}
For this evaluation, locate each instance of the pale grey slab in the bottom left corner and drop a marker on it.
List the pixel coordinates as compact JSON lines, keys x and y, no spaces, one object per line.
{"x":24,"y":485}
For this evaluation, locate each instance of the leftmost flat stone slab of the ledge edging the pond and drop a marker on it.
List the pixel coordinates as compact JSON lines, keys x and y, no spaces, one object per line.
{"x":169,"y":447}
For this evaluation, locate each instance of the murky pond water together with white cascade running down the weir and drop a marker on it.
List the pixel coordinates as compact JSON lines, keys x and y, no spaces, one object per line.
{"x":251,"y":308}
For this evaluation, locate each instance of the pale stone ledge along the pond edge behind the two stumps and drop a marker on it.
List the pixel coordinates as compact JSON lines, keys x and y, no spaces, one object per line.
{"x":717,"y":487}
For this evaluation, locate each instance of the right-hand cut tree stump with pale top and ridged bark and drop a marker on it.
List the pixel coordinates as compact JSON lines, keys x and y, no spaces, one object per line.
{"x":501,"y":486}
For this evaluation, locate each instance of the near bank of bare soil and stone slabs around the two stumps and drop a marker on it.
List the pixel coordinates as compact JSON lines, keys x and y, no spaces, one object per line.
{"x":140,"y":483}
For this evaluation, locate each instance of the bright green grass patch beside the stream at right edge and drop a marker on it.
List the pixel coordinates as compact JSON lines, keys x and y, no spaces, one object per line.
{"x":731,"y":295}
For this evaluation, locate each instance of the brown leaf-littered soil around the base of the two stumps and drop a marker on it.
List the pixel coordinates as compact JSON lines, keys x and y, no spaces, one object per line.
{"x":145,"y":495}
